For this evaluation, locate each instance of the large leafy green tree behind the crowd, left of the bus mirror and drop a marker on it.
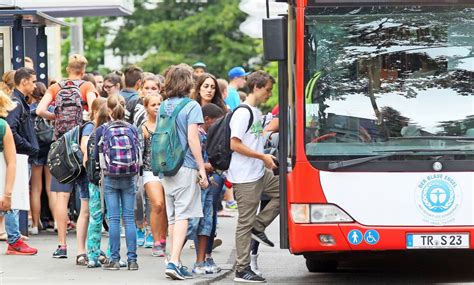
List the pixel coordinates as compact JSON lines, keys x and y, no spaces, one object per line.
{"x":174,"y":32}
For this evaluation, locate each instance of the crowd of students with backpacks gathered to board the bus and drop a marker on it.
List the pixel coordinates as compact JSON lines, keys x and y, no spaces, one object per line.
{"x":119,"y":118}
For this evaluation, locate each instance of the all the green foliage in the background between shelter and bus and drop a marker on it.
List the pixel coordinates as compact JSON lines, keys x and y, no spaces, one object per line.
{"x":172,"y":32}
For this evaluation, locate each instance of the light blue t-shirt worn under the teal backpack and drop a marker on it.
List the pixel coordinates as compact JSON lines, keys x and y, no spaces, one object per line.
{"x":190,"y":114}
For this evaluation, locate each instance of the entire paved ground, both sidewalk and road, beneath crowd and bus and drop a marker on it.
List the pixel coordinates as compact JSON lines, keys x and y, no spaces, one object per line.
{"x":278,"y":266}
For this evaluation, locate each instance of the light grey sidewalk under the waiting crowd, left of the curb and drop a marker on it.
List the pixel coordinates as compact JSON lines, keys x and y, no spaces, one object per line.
{"x":43,"y":269}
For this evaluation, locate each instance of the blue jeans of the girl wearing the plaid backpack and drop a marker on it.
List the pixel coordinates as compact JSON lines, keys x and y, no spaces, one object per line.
{"x":121,"y":191}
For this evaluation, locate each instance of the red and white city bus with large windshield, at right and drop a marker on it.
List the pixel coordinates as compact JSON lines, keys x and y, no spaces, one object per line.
{"x":376,"y":127}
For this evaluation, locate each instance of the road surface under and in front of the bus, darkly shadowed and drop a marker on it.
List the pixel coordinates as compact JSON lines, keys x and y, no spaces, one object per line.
{"x":280,"y":267}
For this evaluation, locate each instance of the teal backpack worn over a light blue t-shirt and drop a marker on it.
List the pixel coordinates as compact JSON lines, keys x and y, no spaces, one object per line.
{"x":167,"y":153}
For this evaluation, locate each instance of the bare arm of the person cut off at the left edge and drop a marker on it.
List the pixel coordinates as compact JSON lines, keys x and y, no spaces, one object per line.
{"x":9,"y":152}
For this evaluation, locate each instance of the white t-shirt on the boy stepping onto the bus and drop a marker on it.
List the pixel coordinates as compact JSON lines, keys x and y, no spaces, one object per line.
{"x":244,"y":169}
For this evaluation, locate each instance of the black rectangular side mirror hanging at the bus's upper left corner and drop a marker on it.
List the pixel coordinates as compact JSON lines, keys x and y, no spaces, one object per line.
{"x":275,"y":38}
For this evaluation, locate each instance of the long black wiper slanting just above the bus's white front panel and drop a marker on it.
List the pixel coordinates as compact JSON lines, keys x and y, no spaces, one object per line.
{"x":346,"y":163}
